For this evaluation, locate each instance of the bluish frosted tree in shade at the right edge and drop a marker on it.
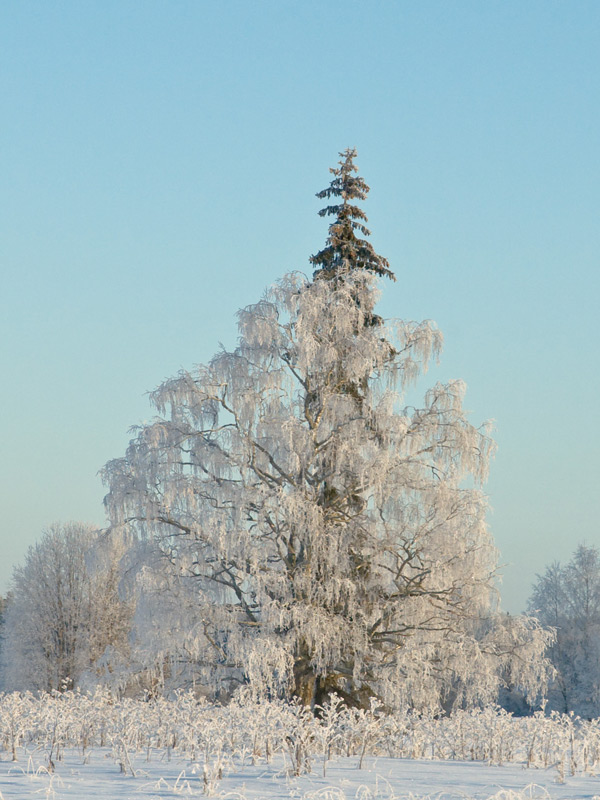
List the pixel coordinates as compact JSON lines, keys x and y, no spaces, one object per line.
{"x":567,"y":600}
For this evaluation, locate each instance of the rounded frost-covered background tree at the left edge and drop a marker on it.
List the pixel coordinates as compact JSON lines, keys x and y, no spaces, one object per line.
{"x":64,"y":610}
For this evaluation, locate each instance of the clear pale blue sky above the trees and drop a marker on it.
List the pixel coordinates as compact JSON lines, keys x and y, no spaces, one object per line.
{"x":159,"y":166}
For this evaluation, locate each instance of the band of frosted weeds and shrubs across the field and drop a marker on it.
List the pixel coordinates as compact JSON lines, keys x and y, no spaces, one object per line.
{"x":223,"y":738}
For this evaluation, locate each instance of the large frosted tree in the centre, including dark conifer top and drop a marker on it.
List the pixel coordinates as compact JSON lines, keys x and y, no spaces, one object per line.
{"x":305,"y":531}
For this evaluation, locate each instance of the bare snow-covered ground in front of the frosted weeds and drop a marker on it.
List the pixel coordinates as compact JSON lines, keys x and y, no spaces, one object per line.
{"x":379,"y":779}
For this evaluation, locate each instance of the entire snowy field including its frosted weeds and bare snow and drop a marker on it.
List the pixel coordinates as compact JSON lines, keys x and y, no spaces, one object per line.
{"x":72,"y":746}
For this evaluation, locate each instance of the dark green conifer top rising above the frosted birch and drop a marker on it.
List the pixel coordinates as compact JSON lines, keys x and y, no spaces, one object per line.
{"x":344,"y":250}
